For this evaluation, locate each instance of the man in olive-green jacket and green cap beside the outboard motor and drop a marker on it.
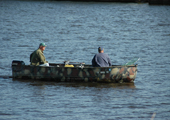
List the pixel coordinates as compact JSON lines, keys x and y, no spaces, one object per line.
{"x":37,"y":57}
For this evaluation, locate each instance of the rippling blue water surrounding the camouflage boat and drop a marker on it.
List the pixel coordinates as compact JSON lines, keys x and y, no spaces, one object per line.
{"x":73,"y":31}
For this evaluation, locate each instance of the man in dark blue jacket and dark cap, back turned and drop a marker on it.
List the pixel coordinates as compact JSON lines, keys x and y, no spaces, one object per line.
{"x":101,"y":59}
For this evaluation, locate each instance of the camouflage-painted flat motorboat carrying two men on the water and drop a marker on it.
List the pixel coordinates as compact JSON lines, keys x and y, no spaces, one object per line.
{"x":74,"y":72}
